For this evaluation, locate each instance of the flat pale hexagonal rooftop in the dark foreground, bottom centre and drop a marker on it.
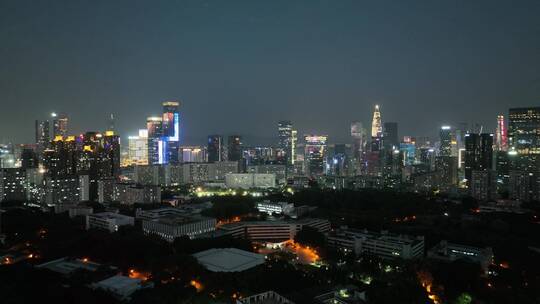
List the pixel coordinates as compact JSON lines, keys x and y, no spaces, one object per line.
{"x":229,"y":259}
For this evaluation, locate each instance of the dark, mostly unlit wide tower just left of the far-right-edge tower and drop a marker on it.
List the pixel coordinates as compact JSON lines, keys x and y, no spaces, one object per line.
{"x":478,"y":153}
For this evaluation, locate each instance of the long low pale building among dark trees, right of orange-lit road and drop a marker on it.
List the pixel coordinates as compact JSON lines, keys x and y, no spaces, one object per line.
{"x":382,"y":244}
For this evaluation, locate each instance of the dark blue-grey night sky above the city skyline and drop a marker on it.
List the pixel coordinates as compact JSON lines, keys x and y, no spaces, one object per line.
{"x":240,"y":66}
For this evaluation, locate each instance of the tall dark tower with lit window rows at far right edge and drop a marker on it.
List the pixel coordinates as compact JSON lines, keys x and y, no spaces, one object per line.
{"x":524,"y":137}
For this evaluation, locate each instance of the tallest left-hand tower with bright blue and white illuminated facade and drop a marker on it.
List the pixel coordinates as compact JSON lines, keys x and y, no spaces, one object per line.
{"x":171,"y":131}
